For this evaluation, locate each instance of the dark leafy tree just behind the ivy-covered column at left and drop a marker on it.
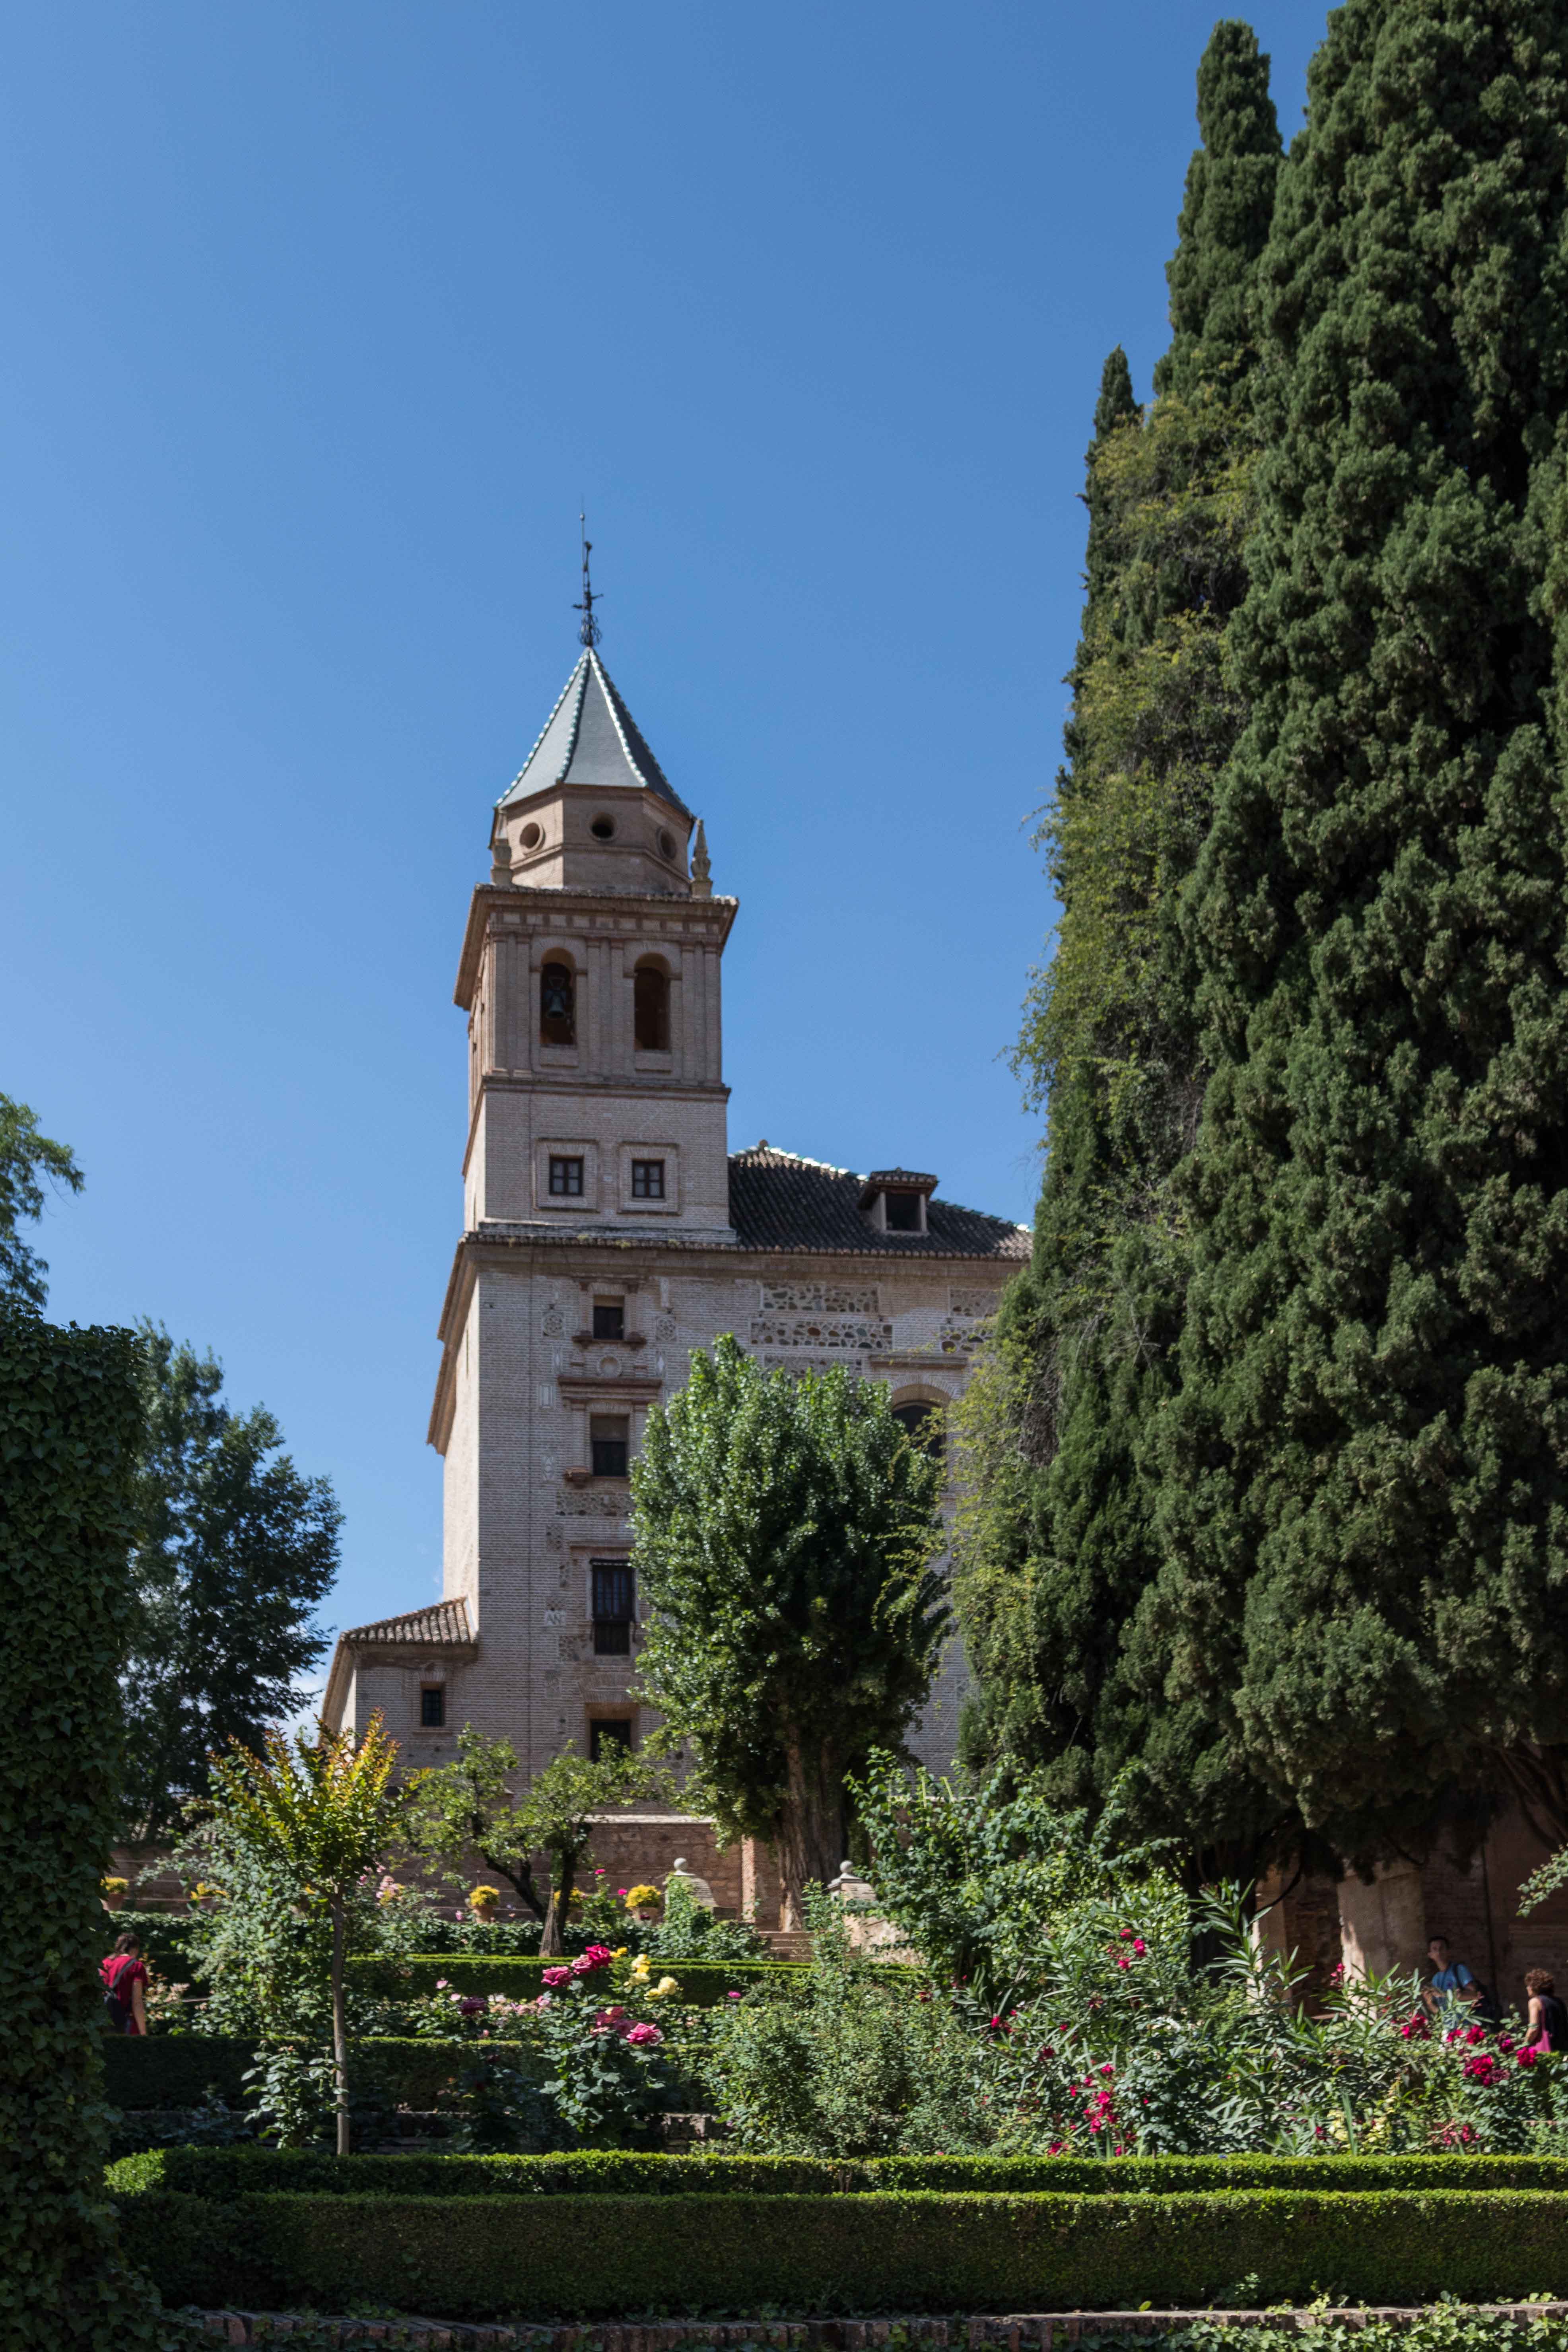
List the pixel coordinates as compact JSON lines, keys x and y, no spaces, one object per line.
{"x":234,"y":1553}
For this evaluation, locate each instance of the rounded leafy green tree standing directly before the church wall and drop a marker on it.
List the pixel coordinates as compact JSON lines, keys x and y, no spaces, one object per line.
{"x":786,"y":1537}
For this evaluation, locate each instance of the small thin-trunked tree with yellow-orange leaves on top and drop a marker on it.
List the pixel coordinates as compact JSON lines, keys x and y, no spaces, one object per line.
{"x":326,"y":1817}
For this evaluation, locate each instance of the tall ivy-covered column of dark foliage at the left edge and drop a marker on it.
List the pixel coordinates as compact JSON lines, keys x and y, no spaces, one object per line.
{"x":69,"y":1434}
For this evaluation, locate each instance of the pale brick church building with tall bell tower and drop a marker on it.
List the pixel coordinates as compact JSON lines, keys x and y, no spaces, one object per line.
{"x":610,"y":1231}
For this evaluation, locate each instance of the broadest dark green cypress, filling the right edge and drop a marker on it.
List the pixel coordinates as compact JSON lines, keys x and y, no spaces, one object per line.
{"x":1365,"y":1511}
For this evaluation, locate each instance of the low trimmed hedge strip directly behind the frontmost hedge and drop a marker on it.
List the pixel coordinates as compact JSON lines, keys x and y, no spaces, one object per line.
{"x":236,"y":2172}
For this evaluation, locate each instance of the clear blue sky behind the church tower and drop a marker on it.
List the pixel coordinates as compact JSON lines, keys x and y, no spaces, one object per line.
{"x":321,"y":323}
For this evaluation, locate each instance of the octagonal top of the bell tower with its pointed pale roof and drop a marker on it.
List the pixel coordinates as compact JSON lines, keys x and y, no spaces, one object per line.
{"x":591,"y":808}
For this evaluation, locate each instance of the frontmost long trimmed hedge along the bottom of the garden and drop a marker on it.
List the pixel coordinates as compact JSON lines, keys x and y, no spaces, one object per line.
{"x":603,"y":2257}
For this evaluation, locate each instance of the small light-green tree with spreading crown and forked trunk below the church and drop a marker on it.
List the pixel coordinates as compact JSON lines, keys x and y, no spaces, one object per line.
{"x":469,"y":1808}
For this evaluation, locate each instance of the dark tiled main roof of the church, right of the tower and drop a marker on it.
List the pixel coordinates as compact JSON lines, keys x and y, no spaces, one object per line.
{"x":779,"y":1201}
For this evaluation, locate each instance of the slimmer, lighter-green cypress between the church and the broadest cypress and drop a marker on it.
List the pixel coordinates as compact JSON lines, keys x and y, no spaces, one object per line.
{"x":1057,"y":1537}
